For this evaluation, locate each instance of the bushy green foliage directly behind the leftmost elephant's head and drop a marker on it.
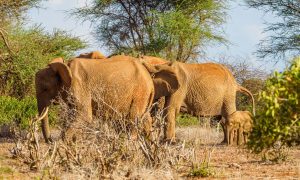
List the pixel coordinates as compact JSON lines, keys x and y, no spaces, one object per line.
{"x":30,"y":50}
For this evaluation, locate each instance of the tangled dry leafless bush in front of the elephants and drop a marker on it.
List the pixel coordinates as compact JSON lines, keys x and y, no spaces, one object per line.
{"x":105,"y":148}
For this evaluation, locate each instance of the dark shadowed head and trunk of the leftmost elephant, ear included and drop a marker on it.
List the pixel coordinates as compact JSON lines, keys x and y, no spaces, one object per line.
{"x":49,"y":82}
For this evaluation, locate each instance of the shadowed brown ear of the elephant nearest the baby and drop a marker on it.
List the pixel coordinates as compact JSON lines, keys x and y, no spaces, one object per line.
{"x":165,"y":79}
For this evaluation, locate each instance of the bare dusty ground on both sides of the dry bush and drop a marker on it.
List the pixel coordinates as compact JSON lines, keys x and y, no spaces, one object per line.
{"x":226,"y":162}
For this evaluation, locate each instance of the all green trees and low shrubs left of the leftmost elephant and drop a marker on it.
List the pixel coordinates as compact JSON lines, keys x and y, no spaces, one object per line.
{"x":23,"y":51}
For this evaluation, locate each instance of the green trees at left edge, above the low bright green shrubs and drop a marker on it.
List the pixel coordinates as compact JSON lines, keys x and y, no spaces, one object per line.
{"x":25,"y":50}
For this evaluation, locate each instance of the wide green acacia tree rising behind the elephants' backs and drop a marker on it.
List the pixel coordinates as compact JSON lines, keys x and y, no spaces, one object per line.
{"x":176,"y":30}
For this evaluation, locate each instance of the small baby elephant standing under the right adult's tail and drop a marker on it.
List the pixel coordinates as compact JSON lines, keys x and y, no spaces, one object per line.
{"x":240,"y":123}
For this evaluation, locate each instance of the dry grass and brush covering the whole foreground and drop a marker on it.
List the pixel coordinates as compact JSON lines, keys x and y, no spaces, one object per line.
{"x":106,"y":149}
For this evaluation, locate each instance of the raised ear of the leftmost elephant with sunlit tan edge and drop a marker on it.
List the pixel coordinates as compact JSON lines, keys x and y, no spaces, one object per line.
{"x":58,"y":66}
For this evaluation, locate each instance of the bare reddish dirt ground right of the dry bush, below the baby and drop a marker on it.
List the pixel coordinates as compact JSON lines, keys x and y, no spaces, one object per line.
{"x":232,"y":162}
